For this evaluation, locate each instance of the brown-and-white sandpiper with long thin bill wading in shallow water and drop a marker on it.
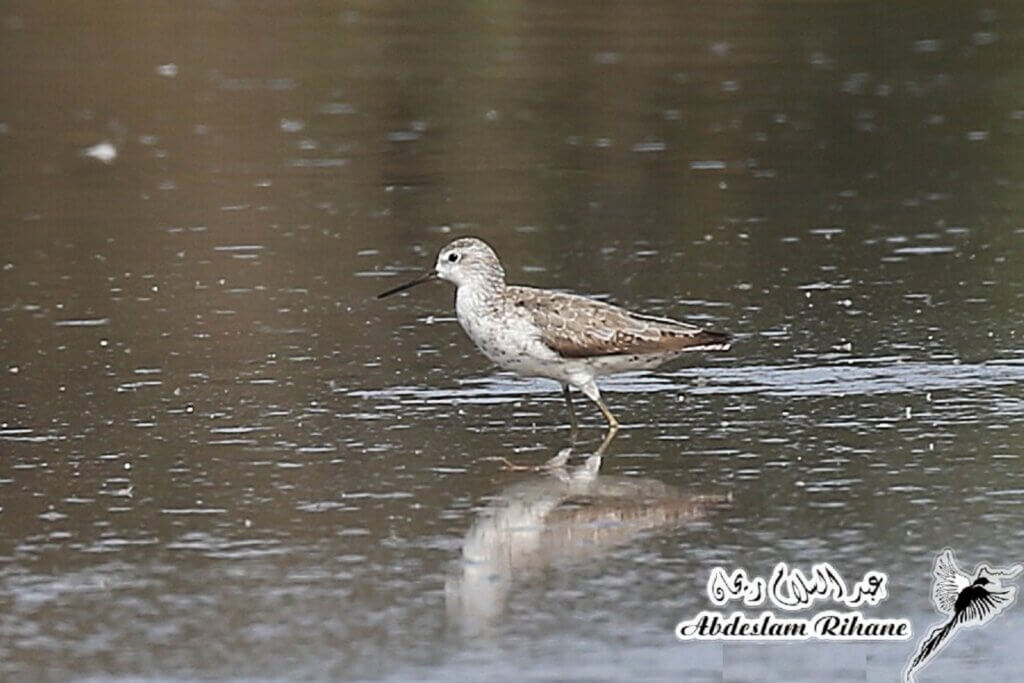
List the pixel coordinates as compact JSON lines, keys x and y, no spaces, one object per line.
{"x":565,"y":337}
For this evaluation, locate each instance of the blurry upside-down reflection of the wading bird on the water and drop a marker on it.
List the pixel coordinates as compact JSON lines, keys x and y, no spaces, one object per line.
{"x":564,"y":516}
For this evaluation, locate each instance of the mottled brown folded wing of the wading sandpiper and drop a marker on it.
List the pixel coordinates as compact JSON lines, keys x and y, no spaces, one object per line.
{"x":577,"y":327}
